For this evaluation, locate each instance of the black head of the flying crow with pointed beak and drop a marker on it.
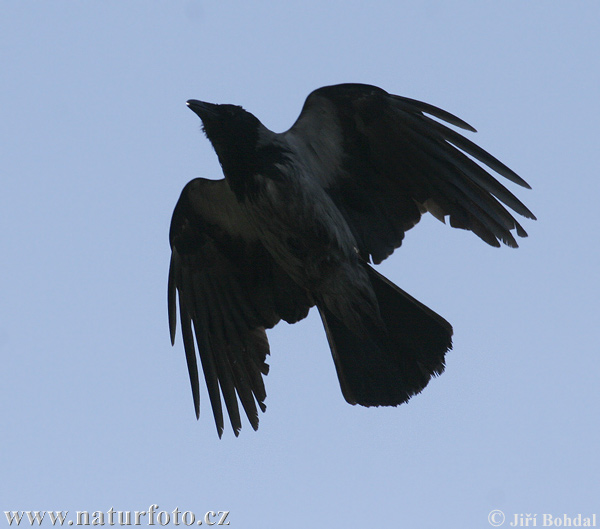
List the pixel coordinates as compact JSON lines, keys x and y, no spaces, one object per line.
{"x":232,"y":131}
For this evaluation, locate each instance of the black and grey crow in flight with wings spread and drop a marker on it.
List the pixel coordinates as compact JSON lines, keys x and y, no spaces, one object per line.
{"x":299,"y":220}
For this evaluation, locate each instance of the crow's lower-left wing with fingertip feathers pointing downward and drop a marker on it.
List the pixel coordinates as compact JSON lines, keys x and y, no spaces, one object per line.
{"x":229,"y":290}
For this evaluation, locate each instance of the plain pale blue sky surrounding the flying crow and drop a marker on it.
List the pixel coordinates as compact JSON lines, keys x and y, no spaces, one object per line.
{"x":97,"y":143}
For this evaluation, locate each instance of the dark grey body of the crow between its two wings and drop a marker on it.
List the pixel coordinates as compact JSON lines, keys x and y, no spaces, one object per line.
{"x":300,"y":227}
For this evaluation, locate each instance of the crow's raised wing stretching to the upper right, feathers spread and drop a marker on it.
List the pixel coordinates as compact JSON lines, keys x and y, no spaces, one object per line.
{"x":385,"y":161}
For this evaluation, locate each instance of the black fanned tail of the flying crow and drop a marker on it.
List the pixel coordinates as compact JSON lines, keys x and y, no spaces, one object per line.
{"x":385,"y":367}
